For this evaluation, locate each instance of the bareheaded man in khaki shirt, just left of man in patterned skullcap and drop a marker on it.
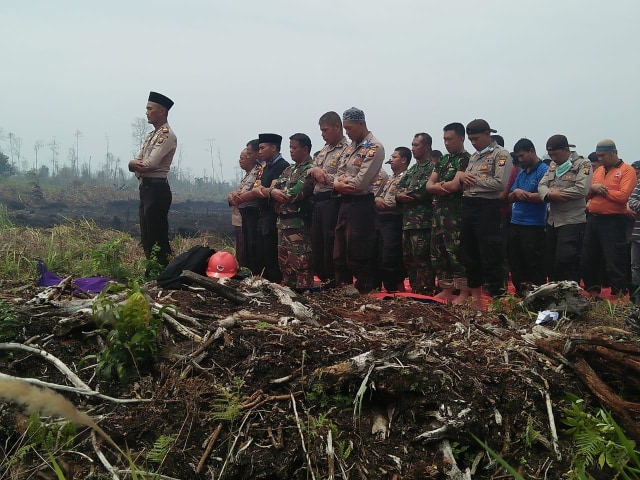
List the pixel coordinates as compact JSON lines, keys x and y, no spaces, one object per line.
{"x":325,"y":201}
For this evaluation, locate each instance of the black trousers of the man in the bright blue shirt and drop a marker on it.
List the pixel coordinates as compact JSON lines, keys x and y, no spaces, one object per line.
{"x":526,"y":255}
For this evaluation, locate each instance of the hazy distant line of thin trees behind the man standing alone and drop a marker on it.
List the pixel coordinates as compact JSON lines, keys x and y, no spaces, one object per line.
{"x":48,"y":168}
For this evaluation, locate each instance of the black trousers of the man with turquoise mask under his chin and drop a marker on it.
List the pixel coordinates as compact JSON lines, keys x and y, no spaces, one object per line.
{"x":563,"y":251}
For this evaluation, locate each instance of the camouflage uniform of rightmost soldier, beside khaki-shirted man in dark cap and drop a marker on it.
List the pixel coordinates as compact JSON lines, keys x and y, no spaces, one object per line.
{"x":446,"y":223}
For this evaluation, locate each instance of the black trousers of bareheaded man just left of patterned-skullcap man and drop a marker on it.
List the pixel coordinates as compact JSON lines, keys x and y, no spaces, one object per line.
{"x":323,"y":233}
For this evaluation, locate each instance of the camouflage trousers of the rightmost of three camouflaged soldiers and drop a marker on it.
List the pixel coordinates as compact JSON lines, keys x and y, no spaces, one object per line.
{"x":445,"y":242}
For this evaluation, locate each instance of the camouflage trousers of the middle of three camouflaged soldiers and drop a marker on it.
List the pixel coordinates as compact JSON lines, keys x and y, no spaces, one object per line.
{"x":416,"y":254}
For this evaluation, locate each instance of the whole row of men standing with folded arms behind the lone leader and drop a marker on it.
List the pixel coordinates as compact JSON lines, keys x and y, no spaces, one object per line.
{"x":336,"y":216}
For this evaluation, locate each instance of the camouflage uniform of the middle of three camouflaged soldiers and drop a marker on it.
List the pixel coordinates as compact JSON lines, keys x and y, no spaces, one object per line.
{"x":416,"y":226}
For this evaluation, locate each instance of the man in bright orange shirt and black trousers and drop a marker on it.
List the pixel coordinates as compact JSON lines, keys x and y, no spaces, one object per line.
{"x":605,"y":232}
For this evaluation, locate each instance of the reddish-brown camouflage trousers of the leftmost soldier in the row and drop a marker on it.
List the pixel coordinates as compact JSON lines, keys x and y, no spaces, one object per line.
{"x":294,"y":257}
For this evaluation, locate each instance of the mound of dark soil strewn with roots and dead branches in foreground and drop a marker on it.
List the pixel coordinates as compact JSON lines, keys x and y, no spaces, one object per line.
{"x":278,"y":386}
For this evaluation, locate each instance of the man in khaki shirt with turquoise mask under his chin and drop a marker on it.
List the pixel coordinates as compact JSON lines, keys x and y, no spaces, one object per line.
{"x":564,"y":187}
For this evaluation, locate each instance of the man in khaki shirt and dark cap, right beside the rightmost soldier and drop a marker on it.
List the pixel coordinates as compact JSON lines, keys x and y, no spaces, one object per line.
{"x":480,"y":238}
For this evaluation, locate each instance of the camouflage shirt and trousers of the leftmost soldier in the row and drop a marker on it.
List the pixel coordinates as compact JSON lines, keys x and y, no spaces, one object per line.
{"x":294,"y":219}
